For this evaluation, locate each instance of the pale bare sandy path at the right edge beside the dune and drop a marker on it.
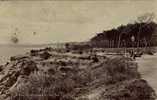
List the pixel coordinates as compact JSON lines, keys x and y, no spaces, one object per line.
{"x":148,"y":69}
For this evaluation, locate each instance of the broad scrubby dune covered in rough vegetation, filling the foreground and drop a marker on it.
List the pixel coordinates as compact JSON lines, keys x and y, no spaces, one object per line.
{"x":73,"y":78}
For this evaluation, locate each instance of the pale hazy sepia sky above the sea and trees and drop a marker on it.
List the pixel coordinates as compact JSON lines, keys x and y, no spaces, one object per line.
{"x":61,"y":21}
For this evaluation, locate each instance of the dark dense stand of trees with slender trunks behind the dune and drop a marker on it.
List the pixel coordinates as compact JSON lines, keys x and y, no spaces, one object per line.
{"x":130,"y":35}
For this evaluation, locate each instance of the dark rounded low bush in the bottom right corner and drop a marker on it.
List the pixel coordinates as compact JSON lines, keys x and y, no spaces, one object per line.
{"x":130,"y":90}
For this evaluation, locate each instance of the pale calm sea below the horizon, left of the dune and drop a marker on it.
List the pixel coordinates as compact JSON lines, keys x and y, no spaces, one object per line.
{"x":9,"y":50}
